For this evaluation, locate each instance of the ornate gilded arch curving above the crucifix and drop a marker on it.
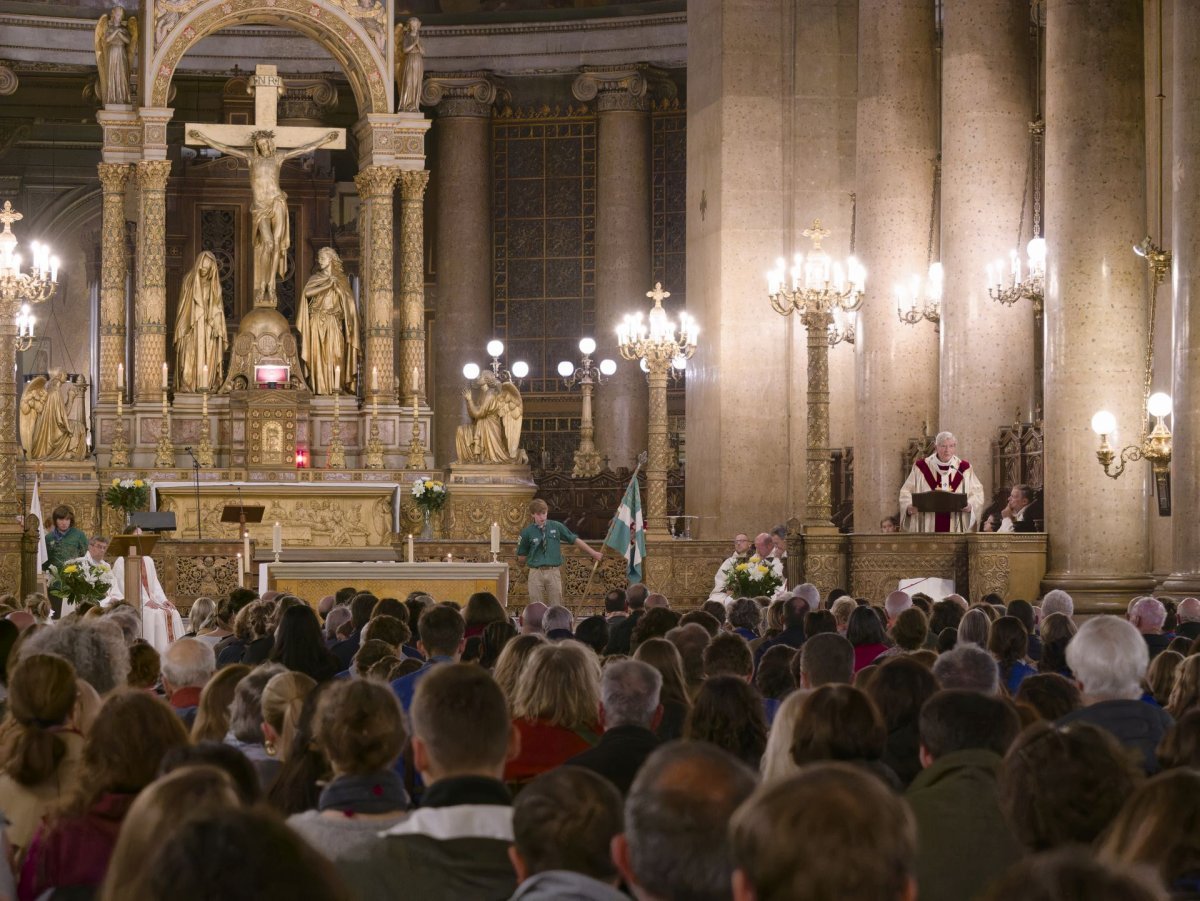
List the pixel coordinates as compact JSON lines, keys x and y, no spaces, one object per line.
{"x":365,"y":63}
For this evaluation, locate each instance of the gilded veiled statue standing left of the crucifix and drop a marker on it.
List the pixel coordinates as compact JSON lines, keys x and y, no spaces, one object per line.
{"x":200,"y":327}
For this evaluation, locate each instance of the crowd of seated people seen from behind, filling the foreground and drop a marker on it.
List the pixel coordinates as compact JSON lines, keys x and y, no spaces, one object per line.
{"x":356,"y":748}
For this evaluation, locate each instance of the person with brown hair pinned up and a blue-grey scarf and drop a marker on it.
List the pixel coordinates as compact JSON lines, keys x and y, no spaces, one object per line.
{"x":361,"y":729}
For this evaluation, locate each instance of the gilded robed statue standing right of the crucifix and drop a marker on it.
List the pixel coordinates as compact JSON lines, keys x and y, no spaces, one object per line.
{"x":329,"y":327}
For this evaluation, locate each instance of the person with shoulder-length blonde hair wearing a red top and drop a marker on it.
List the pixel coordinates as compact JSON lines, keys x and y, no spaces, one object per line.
{"x":557,"y":708}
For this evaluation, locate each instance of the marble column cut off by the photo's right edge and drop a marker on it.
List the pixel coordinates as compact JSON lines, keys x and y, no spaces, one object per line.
{"x":1185,"y":244}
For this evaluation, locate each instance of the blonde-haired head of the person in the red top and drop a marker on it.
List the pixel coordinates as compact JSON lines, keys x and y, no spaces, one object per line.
{"x":561,"y":684}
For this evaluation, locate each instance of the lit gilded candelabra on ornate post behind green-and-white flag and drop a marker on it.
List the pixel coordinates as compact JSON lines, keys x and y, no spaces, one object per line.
{"x":657,"y":345}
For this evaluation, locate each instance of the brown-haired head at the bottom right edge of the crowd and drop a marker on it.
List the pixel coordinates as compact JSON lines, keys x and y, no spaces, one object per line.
{"x":1159,"y":827}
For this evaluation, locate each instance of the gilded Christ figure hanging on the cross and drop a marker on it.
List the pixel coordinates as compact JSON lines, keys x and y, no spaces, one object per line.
{"x":269,"y":209}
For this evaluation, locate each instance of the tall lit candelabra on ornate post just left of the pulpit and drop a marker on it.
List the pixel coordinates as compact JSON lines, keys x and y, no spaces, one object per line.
{"x":819,"y":287}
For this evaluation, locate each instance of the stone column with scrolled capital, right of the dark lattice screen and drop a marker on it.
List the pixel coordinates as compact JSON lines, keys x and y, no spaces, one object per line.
{"x":622,"y":245}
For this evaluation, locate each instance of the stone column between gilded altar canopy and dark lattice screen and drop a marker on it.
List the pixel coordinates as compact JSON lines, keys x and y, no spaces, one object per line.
{"x":464,"y":245}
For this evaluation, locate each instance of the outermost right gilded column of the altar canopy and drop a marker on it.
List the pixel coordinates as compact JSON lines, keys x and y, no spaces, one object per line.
{"x":412,"y":281}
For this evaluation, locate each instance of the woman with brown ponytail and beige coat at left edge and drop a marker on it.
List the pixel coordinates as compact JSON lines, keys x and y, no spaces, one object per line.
{"x":40,"y":748}
